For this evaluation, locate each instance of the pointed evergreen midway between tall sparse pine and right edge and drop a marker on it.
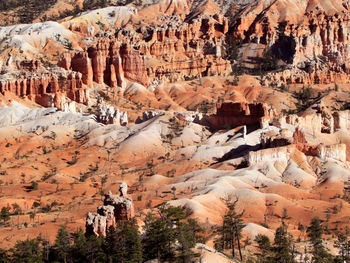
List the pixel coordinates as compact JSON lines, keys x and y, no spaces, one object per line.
{"x":282,"y":246}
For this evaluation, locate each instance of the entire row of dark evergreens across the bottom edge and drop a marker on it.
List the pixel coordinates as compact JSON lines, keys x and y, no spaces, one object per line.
{"x":170,"y":236}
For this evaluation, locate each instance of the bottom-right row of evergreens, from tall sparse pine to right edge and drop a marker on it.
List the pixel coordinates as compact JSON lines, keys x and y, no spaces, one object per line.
{"x":283,"y":249}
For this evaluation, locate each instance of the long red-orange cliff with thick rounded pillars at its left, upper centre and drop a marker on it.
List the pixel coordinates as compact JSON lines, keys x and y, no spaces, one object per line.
{"x":171,"y":52}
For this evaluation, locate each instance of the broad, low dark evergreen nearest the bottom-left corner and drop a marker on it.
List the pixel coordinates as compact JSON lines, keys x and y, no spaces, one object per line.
{"x":28,"y":251}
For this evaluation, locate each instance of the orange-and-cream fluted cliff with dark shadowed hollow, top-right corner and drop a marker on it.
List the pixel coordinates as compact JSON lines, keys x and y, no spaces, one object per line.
{"x":313,"y":39}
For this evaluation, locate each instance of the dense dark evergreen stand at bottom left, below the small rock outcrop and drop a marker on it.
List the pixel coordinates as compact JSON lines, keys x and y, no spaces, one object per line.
{"x":169,"y":237}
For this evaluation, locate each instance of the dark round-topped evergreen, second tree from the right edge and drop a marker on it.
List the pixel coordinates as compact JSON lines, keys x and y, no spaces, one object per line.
{"x":315,"y":231}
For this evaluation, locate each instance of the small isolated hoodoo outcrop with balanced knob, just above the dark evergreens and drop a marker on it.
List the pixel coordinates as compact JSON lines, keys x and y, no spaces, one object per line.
{"x":114,"y":209}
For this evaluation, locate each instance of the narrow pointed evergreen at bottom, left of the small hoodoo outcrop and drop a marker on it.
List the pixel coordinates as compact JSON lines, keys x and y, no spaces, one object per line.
{"x":62,"y":246}
